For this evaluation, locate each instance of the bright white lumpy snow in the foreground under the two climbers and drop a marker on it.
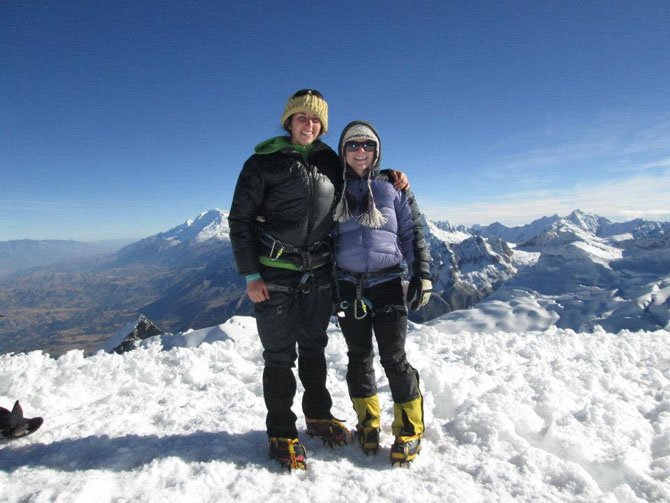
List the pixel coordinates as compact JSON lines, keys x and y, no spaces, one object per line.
{"x":521,"y":415}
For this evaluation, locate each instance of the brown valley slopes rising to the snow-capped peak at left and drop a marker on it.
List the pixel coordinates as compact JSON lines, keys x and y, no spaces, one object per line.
{"x":78,"y":302}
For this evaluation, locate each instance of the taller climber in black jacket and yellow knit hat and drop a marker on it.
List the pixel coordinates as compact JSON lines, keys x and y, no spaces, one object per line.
{"x":280,"y":224}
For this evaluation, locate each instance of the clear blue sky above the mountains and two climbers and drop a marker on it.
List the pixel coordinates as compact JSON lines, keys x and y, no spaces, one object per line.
{"x":122,"y":119}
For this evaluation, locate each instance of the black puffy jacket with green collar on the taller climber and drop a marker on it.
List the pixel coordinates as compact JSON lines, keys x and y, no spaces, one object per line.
{"x":281,"y":199}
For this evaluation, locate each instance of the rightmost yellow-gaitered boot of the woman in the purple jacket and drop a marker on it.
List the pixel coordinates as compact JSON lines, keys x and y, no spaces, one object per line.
{"x":408,"y":428}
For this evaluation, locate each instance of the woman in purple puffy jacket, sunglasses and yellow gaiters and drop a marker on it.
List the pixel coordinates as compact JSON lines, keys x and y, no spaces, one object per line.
{"x":379,"y":228}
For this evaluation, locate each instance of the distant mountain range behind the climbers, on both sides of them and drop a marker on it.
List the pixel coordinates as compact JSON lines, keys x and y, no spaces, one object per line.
{"x":580,"y":272}
